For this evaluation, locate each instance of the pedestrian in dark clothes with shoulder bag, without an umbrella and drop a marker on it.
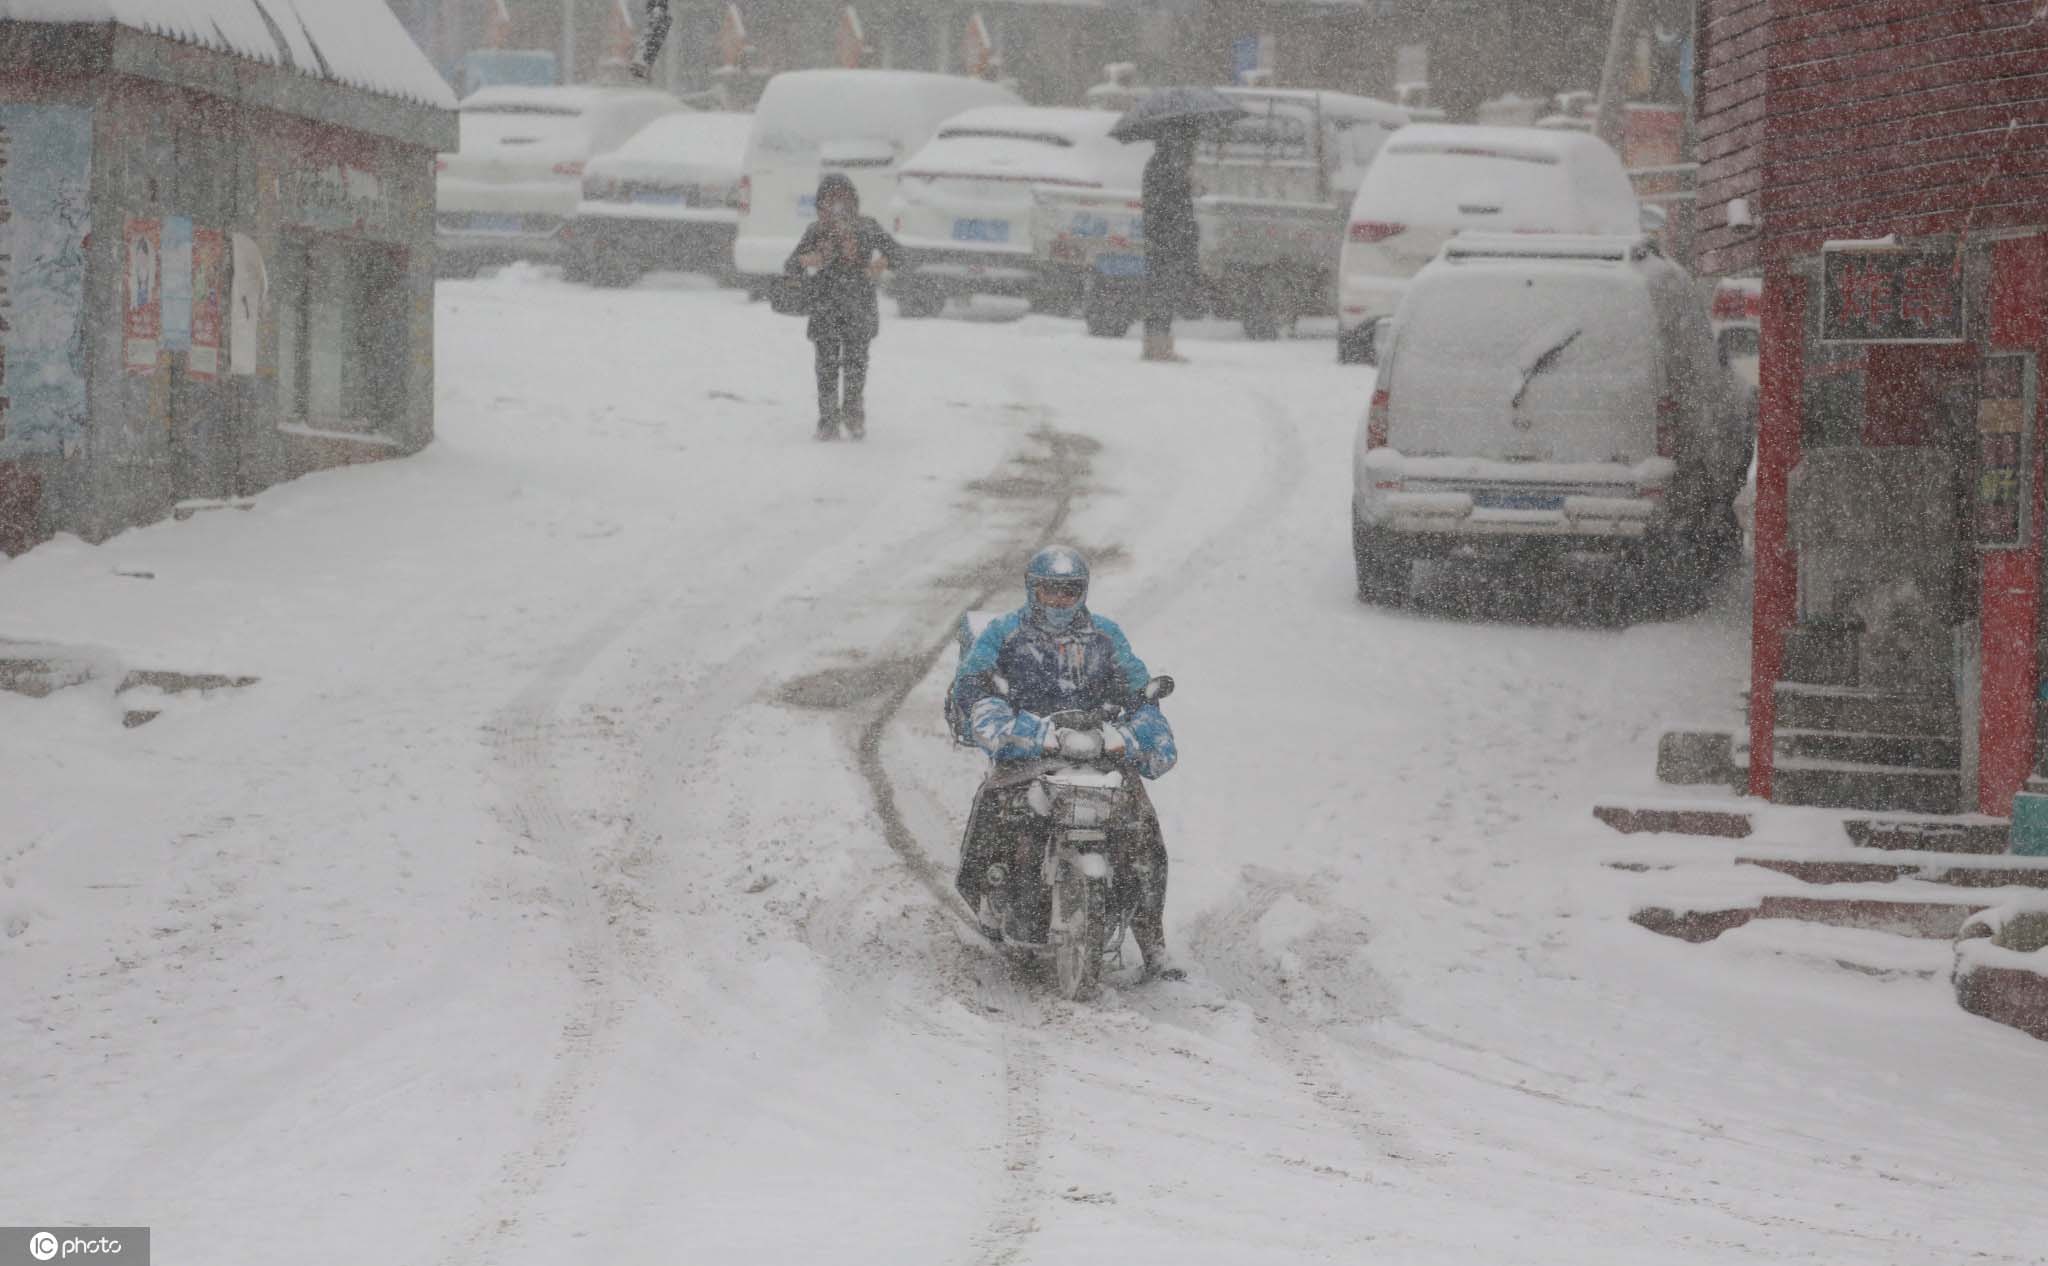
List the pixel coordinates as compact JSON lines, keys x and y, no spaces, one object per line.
{"x":841,"y":257}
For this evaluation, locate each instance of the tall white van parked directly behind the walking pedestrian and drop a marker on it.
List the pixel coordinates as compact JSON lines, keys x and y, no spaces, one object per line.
{"x":855,"y":122}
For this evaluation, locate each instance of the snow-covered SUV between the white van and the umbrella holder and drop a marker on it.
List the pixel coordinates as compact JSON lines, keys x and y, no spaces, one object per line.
{"x":966,"y":204}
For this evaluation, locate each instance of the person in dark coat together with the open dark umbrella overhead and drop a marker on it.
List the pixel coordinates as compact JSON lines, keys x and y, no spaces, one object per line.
{"x":1172,"y":120}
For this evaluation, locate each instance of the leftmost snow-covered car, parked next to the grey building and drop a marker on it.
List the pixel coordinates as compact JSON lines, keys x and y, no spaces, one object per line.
{"x":519,"y":169}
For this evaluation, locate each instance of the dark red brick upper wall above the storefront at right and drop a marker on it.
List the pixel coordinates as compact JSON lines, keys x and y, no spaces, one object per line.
{"x":1883,"y":118}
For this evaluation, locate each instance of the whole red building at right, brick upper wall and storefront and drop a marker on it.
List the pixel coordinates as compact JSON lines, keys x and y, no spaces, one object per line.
{"x":1885,"y":169}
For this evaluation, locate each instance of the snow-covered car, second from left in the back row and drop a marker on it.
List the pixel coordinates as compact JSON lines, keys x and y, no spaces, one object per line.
{"x":669,"y":200}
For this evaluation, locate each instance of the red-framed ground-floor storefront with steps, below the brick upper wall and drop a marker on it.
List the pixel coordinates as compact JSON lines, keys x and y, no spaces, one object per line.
{"x":1900,"y":525}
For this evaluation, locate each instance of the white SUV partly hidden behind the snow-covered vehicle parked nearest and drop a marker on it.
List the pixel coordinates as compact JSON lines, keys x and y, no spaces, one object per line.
{"x":1433,"y":181}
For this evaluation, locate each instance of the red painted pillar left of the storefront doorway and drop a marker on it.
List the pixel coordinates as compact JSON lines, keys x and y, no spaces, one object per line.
{"x":1775,"y":603}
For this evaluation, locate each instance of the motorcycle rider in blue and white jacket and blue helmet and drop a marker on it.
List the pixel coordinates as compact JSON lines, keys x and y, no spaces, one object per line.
{"x":1054,"y":657}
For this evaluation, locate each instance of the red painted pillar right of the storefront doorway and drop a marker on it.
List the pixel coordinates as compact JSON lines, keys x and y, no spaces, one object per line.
{"x":2012,"y":577}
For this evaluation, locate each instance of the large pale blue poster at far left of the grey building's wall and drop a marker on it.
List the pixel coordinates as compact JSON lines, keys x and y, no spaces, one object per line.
{"x":46,"y":214}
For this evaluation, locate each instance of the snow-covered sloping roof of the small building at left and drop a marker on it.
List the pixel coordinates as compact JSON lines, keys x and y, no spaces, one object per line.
{"x":347,"y":42}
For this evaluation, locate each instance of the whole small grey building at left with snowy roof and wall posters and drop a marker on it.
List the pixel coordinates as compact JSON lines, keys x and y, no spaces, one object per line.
{"x":216,"y":259}
